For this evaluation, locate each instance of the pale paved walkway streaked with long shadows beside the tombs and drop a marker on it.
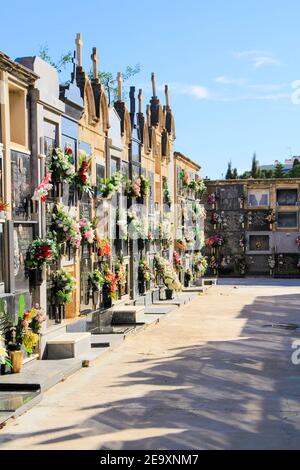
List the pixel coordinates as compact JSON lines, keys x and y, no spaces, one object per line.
{"x":214,"y":374}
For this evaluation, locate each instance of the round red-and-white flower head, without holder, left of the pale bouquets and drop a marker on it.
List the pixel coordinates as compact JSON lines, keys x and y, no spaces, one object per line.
{"x":40,"y":253}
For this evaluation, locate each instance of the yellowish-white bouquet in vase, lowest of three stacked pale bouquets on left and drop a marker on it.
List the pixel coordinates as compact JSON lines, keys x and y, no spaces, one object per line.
{"x":63,"y":286}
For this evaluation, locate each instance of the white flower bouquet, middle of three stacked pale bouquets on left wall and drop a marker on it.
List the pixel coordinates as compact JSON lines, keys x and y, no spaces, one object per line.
{"x":64,"y":228}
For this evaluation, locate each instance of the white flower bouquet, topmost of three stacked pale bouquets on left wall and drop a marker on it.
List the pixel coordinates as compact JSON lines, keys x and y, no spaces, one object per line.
{"x":61,"y":166}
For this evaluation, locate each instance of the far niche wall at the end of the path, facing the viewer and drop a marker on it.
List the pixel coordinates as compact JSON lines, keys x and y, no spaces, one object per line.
{"x":257,"y":225}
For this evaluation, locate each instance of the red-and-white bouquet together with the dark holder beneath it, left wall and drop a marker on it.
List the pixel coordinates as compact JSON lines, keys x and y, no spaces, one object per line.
{"x":40,"y":253}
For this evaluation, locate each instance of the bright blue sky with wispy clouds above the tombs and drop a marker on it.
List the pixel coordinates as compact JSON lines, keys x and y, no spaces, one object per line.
{"x":230,"y":65}
